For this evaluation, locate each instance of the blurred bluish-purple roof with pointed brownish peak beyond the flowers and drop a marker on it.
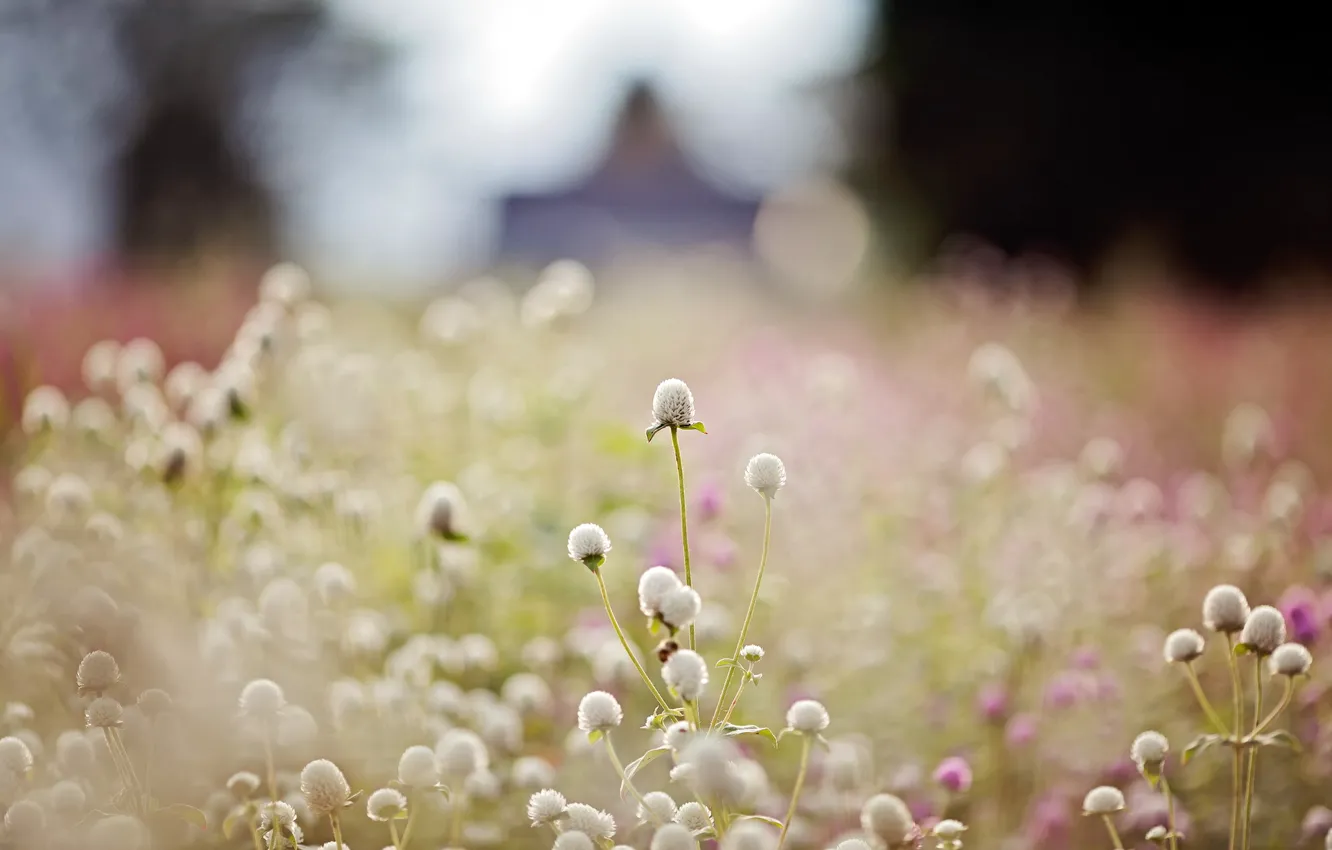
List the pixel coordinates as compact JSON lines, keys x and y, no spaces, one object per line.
{"x":645,"y":194}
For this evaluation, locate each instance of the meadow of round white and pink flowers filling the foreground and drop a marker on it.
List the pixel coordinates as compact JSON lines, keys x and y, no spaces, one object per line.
{"x":491,"y":578}
